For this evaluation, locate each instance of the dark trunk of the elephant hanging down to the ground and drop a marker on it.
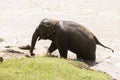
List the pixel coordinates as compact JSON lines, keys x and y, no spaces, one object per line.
{"x":33,"y":42}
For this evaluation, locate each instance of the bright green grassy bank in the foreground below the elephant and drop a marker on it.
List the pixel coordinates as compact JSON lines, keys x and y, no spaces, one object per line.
{"x":44,"y":68}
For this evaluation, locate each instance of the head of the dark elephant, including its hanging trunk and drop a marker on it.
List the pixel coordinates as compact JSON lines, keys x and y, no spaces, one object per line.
{"x":46,"y":30}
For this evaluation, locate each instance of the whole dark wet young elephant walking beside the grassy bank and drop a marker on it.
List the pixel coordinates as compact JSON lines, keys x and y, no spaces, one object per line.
{"x":67,"y":35}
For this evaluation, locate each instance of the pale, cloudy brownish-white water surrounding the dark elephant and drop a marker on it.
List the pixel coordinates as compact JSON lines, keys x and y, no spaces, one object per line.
{"x":19,"y":18}
